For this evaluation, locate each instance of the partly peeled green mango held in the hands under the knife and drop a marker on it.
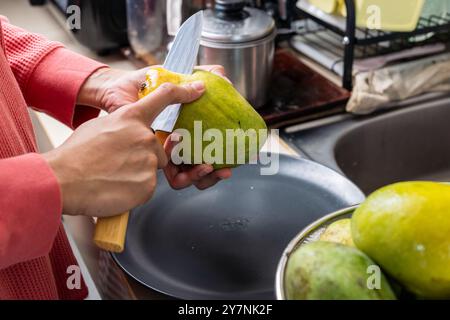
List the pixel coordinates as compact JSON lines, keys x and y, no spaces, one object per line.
{"x":221,"y":107}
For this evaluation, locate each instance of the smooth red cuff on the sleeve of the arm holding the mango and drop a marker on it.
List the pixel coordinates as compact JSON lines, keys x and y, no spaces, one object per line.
{"x":54,"y":85}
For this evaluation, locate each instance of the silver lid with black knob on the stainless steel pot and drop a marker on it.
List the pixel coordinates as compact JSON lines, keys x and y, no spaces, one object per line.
{"x":231,"y":22}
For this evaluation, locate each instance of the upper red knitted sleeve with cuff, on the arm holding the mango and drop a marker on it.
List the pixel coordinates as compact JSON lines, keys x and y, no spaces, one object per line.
{"x":49,"y":75}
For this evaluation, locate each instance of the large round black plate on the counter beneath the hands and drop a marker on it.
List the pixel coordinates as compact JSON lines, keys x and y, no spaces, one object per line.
{"x":225,"y":242}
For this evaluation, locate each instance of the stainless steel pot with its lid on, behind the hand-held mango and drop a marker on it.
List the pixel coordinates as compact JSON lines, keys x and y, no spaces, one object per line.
{"x":242,"y":40}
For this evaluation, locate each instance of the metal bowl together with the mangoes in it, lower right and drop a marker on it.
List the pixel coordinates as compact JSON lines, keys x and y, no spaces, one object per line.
{"x":395,"y":245}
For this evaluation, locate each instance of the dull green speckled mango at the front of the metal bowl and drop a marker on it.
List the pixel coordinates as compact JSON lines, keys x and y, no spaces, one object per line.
{"x":331,"y":271}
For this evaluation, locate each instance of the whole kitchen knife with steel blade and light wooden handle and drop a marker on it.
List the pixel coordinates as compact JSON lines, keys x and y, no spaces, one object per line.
{"x":110,"y":232}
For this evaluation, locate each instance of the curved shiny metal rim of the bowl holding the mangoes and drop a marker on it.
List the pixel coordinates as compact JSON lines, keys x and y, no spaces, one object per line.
{"x":310,"y":234}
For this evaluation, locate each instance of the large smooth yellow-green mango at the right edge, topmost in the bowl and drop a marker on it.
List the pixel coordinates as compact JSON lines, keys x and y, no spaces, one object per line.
{"x":405,"y":227}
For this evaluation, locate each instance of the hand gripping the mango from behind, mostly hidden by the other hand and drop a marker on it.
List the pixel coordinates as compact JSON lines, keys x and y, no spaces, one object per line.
{"x":110,"y":89}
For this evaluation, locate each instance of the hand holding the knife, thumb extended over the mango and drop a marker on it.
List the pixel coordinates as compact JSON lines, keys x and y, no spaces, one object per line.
{"x":108,"y":165}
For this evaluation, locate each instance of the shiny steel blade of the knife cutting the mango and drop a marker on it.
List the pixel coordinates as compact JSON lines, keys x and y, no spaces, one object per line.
{"x":181,"y":58}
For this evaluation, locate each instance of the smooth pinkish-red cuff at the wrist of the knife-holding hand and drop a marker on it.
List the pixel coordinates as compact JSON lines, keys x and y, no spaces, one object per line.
{"x":30,"y":210}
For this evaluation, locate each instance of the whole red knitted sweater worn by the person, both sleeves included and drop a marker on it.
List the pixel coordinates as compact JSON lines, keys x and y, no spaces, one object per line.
{"x":34,"y":250}
